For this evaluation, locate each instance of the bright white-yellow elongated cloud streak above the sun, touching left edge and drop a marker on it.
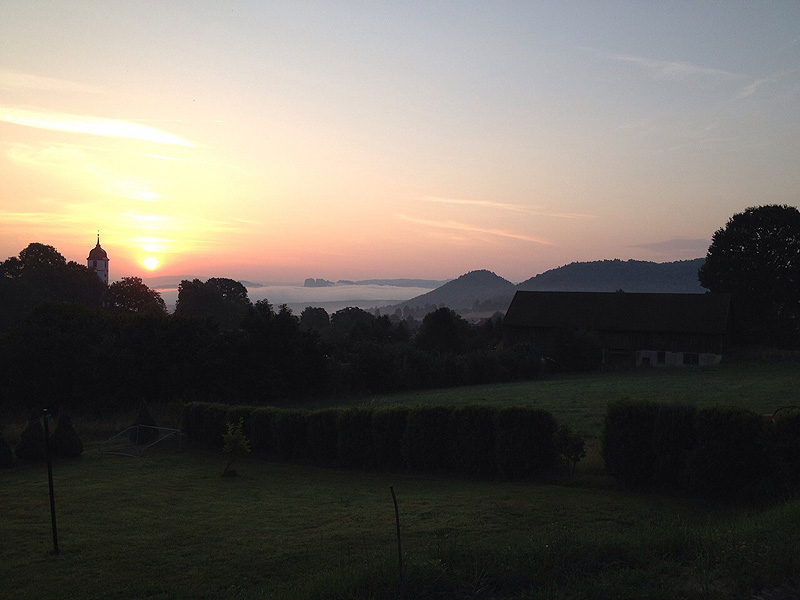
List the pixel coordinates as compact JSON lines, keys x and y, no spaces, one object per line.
{"x":88,"y":125}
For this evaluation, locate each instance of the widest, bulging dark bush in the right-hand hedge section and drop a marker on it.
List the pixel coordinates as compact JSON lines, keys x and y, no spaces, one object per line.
{"x":730,"y":460}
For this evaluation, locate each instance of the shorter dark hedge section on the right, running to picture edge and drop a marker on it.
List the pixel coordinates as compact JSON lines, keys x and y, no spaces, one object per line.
{"x":726,"y":454}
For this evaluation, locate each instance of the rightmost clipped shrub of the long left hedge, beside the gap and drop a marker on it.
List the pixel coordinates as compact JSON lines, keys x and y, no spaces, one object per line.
{"x":524,"y":442}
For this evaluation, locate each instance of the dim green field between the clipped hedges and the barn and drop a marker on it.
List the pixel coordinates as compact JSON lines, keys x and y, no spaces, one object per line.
{"x":580,"y":400}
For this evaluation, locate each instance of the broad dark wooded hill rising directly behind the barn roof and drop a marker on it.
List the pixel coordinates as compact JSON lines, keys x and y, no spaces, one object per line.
{"x":612,"y":275}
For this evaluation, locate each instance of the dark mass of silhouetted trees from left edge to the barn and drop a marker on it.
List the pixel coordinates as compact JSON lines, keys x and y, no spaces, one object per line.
{"x":68,"y":342}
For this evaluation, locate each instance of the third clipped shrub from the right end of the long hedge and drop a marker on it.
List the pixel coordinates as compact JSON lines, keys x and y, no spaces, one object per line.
{"x":425,"y":439}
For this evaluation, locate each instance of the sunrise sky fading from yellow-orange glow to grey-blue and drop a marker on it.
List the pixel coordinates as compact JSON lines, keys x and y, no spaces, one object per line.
{"x":274,"y":141}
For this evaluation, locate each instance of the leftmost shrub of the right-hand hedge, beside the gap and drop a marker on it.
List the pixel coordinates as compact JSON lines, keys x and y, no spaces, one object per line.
{"x":628,"y":440}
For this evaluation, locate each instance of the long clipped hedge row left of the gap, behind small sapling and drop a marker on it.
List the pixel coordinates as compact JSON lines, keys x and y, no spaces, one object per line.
{"x":474,"y":441}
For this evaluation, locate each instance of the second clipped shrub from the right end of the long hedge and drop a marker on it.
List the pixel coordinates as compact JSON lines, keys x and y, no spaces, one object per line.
{"x":471,"y":449}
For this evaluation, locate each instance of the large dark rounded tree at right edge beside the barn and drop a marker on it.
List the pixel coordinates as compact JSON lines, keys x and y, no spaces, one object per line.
{"x":756,"y":258}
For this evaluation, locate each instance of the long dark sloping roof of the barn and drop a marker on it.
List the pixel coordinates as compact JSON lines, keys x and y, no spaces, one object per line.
{"x":621,"y":311}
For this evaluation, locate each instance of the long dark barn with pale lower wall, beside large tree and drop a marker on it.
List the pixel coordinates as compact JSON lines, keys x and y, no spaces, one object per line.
{"x":630,"y":329}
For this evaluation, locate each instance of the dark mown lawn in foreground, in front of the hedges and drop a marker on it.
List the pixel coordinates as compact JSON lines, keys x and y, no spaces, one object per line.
{"x":168,"y":526}
